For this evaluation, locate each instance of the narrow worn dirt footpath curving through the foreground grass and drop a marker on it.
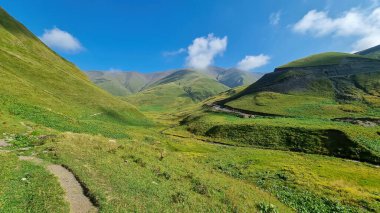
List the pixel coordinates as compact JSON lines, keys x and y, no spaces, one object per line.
{"x":74,"y":194}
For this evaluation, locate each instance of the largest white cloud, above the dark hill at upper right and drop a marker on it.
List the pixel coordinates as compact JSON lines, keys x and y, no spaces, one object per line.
{"x":362,"y":24}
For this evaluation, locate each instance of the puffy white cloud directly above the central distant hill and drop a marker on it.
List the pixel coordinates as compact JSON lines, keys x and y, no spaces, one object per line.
{"x":203,"y":51}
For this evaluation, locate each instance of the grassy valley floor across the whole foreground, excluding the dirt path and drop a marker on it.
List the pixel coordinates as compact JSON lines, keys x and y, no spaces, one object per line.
{"x":165,"y":168}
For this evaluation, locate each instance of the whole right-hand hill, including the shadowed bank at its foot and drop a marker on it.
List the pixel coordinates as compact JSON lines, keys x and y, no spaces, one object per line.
{"x":325,"y":104}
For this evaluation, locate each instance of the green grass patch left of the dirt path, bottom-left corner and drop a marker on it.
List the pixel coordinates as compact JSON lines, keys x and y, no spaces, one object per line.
{"x":25,"y":187}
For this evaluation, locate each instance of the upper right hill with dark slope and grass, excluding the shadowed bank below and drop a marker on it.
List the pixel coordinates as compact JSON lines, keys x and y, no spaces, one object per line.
{"x":323,"y":85}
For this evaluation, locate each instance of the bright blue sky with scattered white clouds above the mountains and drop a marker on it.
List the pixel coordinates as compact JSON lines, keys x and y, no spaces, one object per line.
{"x":158,"y":35}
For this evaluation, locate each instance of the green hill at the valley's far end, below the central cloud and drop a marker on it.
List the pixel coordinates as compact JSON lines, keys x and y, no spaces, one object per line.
{"x":177,"y":90}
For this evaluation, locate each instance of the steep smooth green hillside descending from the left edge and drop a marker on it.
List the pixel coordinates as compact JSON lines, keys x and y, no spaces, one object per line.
{"x":38,"y":85}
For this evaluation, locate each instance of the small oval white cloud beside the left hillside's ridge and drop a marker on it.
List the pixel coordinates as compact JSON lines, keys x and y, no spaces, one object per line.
{"x":61,"y":40}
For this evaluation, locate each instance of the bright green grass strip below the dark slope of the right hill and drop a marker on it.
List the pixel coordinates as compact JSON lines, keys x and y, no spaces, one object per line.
{"x":301,"y":105}
